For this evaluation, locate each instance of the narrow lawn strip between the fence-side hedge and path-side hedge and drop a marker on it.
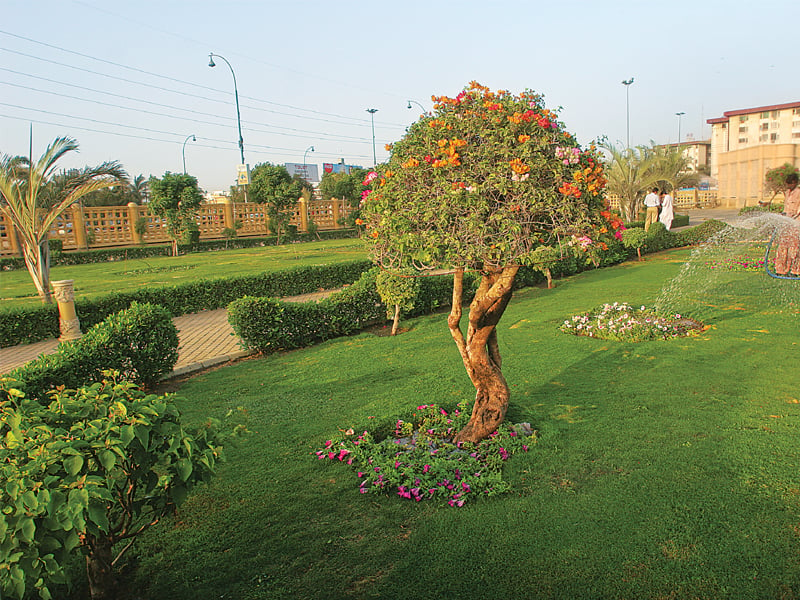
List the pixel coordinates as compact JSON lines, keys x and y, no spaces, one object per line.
{"x":16,"y":287}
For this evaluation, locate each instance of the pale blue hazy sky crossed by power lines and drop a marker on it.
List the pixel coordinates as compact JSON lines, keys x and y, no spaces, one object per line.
{"x":130,"y":81}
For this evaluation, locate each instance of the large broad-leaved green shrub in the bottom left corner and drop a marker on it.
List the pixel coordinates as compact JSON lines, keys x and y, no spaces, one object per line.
{"x":89,"y":468}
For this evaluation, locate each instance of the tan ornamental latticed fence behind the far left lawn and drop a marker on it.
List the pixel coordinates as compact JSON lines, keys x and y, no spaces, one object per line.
{"x":104,"y":226}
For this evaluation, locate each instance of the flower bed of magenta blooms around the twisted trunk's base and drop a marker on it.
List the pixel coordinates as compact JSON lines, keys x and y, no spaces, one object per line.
{"x":419,"y":461}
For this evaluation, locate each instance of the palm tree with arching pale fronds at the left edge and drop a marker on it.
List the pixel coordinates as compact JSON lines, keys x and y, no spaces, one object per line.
{"x":33,"y":195}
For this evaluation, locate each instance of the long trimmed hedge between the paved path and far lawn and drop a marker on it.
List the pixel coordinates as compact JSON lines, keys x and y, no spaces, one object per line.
{"x":32,"y":324}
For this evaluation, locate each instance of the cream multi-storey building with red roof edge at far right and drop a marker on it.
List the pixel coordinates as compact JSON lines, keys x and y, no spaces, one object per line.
{"x":746,"y":143}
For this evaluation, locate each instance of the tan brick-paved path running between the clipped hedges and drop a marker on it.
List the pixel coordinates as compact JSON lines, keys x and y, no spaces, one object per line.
{"x":206,"y":338}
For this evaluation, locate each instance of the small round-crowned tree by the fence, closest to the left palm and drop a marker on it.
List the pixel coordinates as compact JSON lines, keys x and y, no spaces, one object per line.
{"x":175,"y":198}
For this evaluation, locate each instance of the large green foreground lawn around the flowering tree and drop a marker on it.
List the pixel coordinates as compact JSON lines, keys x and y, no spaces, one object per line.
{"x":664,"y":470}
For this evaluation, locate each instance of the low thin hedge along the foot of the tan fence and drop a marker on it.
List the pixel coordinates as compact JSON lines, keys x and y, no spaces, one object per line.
{"x":84,"y":257}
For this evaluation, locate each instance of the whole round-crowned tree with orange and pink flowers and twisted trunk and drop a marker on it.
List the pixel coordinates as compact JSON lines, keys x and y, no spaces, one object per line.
{"x":479,"y":185}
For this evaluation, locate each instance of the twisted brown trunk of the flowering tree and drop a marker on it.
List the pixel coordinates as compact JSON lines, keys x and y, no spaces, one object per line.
{"x":480,"y":351}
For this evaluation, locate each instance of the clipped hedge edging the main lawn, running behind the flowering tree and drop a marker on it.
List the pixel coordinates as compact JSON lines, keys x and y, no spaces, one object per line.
{"x":267,"y":324}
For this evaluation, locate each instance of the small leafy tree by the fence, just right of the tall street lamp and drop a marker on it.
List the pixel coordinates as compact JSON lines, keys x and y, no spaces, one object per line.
{"x":273,"y":186}
